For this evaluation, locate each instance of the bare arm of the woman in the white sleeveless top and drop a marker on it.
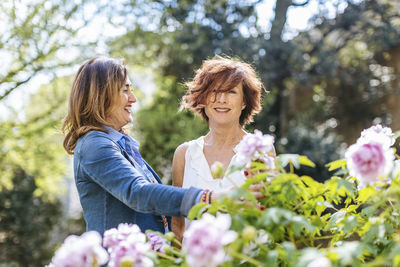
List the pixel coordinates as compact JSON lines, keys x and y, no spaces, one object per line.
{"x":178,"y":168}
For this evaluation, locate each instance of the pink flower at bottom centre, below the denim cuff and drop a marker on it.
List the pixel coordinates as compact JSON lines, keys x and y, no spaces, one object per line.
{"x":204,"y":241}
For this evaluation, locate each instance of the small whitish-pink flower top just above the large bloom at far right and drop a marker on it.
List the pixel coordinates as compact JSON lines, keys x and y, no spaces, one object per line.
{"x":377,"y":133}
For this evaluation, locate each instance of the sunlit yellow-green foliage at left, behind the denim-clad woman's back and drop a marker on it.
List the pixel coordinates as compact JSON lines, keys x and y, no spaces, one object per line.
{"x":35,"y":144}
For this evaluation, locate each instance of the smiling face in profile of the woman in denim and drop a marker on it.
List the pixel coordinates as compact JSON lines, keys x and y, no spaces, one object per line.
{"x":120,"y":114}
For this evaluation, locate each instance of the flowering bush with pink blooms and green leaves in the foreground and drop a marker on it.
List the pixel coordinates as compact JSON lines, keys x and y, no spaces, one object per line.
{"x":346,"y":221}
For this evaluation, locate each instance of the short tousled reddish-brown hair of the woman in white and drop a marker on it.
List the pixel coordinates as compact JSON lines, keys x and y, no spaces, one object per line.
{"x":221,"y":74}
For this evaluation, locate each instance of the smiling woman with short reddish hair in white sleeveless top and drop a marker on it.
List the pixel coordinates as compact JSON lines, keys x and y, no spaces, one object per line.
{"x":226,"y":93}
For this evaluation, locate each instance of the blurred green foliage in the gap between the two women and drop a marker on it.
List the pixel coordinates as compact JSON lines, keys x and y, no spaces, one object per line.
{"x":160,"y":135}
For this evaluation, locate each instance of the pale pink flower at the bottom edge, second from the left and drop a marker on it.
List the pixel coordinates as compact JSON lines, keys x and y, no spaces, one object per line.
{"x":127,"y":244}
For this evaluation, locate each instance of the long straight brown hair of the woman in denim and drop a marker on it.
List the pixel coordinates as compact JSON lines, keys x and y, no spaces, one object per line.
{"x":94,"y":91}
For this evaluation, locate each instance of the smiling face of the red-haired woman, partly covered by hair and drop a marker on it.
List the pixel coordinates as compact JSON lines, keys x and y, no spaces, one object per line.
{"x":225,"y":108}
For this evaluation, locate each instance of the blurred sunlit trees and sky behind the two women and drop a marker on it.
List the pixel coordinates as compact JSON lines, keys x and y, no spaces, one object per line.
{"x":331,"y":68}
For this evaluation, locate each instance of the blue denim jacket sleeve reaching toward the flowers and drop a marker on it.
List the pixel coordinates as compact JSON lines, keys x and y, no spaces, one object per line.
{"x":102,"y":161}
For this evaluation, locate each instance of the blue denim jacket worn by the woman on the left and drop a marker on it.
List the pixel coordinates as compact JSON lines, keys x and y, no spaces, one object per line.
{"x":113,"y":189}
